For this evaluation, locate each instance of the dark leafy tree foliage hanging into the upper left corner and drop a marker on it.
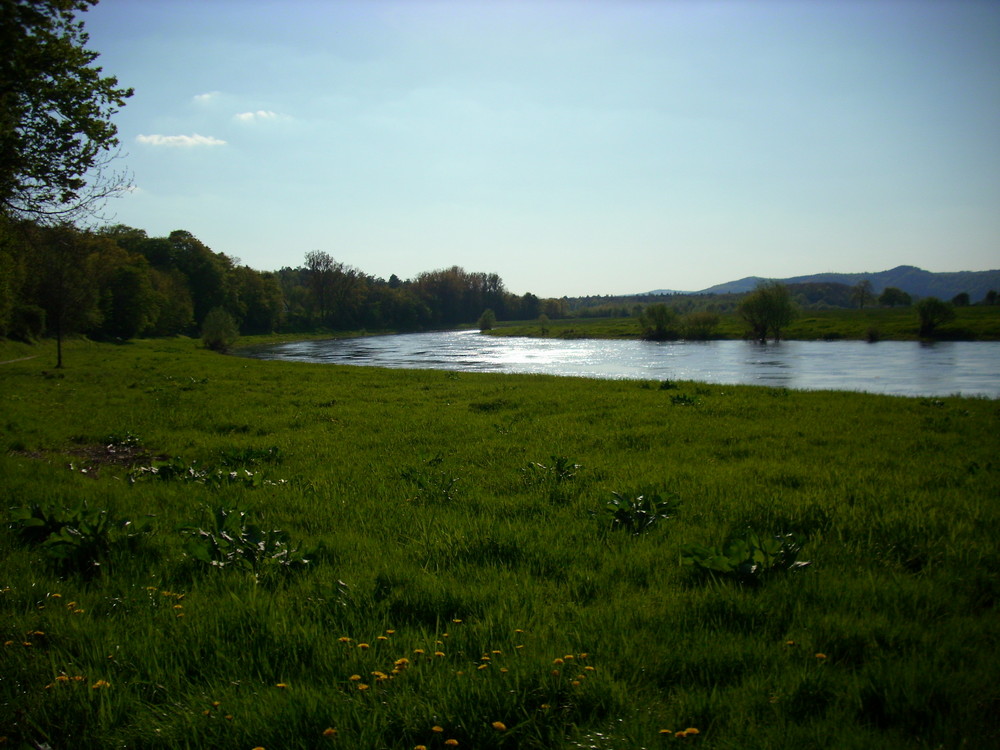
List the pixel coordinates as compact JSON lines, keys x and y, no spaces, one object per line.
{"x":56,"y":134}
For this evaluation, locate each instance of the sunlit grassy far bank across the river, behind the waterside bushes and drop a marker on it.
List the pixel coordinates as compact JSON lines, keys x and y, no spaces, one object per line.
{"x":971,"y":323}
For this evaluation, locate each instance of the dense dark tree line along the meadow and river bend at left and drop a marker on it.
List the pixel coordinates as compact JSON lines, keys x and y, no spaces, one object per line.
{"x":117,"y":283}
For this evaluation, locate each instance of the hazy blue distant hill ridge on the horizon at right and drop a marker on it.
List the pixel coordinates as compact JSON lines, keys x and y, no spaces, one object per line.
{"x":912,"y":280}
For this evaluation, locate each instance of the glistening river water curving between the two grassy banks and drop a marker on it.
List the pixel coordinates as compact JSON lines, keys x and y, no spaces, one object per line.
{"x":904,"y":368}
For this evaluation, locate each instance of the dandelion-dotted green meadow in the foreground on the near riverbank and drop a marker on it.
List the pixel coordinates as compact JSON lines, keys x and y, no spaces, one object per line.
{"x":207,"y":551}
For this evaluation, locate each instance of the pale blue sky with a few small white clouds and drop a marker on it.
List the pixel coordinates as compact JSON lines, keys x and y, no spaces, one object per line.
{"x":583,"y":147}
